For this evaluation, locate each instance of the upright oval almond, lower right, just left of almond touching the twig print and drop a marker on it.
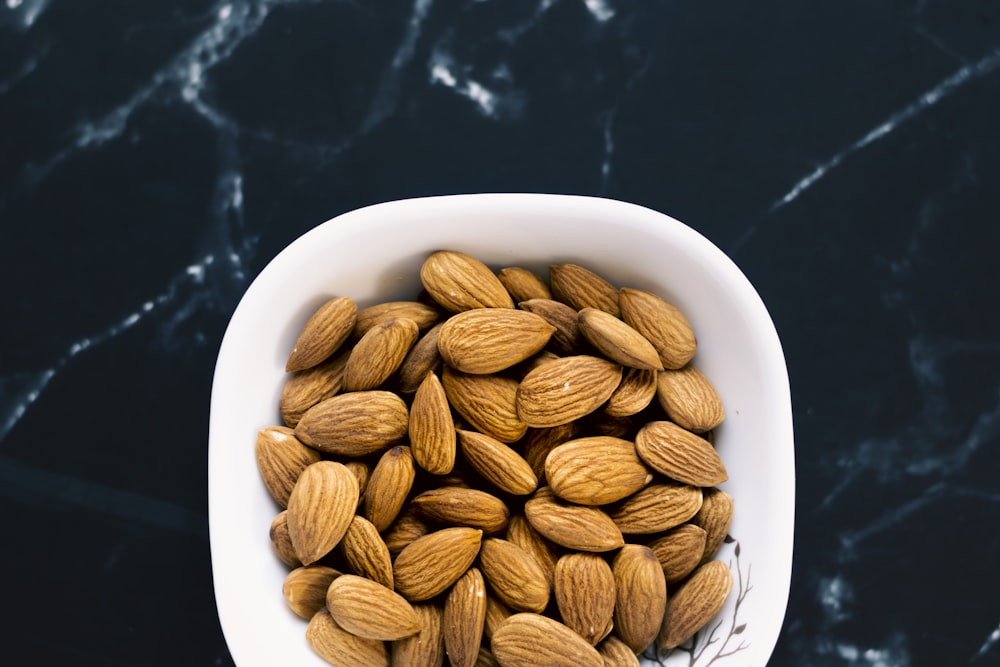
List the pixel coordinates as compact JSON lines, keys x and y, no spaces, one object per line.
{"x":641,"y":596}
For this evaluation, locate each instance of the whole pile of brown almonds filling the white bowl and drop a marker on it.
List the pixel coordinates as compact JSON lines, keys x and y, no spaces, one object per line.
{"x":504,"y":471}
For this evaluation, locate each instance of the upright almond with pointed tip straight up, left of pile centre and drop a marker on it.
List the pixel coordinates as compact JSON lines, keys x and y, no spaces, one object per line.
{"x":432,"y":428}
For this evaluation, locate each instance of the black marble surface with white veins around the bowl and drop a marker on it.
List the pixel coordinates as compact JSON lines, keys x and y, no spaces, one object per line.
{"x":154,"y":156}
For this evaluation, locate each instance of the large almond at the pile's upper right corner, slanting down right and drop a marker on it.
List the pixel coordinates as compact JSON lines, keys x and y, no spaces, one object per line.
{"x":661,"y":323}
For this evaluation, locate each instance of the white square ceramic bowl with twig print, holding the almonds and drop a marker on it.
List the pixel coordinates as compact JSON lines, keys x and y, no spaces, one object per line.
{"x":373,"y":254}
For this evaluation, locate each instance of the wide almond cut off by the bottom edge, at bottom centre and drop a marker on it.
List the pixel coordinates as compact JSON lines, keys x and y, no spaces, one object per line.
{"x":528,"y":640}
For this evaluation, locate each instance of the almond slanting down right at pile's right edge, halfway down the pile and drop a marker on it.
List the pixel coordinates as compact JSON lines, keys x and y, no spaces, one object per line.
{"x":680,"y":454}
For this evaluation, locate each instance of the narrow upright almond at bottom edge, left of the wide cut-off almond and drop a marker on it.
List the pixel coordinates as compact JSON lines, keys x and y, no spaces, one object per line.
{"x":464,"y":619}
